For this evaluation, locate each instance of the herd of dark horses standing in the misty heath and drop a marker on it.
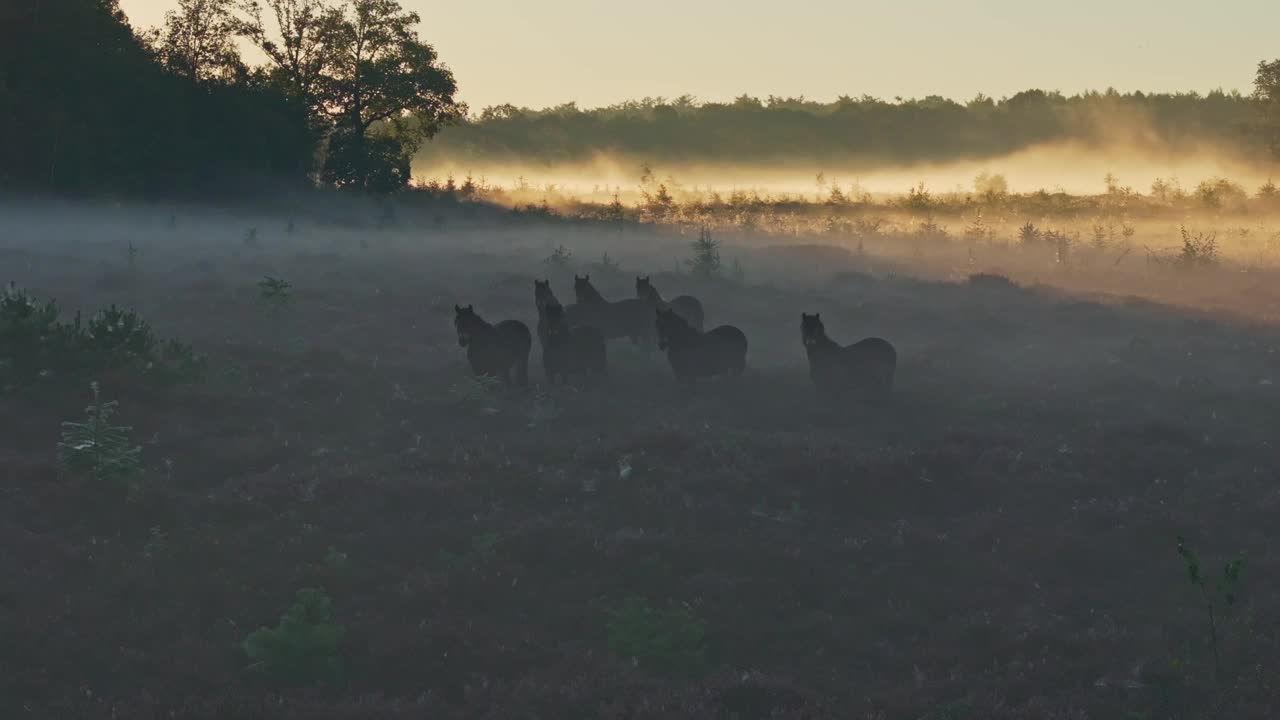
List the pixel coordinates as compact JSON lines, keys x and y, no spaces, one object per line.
{"x":575,"y":341}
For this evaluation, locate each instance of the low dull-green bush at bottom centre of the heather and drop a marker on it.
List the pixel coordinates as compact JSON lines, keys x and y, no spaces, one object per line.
{"x":664,"y":641}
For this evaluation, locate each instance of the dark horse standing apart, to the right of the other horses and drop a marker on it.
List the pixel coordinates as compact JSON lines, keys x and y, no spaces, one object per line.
{"x":865,"y":368}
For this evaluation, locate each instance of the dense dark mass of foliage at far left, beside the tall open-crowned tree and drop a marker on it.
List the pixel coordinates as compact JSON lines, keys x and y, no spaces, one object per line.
{"x":86,"y":108}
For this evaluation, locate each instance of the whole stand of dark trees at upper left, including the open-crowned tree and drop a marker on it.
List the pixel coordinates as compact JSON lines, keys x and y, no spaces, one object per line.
{"x":348,"y":94}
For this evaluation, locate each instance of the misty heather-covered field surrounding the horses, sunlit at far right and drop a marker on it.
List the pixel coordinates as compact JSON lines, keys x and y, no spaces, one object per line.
{"x":303,"y":505}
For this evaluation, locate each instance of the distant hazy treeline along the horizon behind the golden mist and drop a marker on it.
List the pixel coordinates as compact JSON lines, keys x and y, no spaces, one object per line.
{"x":865,"y":131}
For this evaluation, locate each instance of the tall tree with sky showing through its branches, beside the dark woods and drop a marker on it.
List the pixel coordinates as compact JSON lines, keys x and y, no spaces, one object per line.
{"x":368,"y":78}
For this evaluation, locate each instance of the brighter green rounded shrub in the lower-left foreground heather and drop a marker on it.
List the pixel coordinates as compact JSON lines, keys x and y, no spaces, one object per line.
{"x":304,"y":649}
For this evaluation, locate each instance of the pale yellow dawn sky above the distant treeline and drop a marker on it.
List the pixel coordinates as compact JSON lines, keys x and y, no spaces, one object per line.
{"x":602,"y":52}
